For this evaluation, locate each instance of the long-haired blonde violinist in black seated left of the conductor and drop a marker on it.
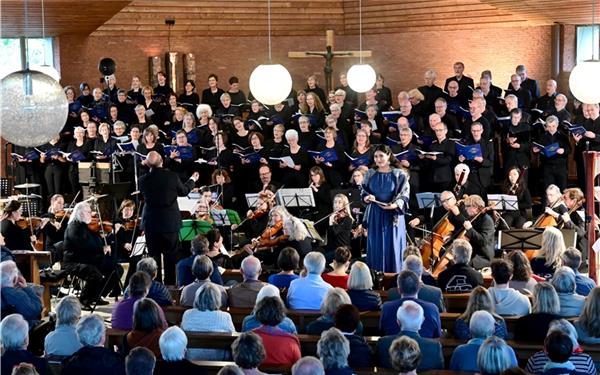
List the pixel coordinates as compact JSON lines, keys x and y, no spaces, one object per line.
{"x":85,"y":256}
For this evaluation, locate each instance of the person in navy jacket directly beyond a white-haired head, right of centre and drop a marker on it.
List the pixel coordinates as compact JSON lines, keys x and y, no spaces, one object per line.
{"x":408,"y":286}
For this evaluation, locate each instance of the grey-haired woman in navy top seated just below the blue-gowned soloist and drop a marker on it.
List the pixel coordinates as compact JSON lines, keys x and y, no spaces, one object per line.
{"x":360,"y":288}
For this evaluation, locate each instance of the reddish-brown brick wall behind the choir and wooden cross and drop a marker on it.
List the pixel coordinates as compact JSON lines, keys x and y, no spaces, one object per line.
{"x":402,"y":58}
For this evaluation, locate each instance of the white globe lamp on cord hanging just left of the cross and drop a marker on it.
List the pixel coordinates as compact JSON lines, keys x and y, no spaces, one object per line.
{"x":270,"y":83}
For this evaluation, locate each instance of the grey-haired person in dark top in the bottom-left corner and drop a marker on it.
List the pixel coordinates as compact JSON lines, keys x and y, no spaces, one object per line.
{"x":14,"y":337}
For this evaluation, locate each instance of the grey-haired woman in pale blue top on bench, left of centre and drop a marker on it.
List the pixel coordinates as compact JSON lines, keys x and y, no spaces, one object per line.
{"x":206,"y":317}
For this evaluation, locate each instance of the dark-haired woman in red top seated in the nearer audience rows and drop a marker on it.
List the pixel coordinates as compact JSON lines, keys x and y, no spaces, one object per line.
{"x":282,"y":348}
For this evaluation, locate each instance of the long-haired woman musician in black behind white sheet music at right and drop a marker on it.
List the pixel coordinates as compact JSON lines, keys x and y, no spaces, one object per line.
{"x":515,"y":184}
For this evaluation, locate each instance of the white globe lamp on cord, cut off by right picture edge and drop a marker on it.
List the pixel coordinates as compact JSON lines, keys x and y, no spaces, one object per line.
{"x":584,"y":81}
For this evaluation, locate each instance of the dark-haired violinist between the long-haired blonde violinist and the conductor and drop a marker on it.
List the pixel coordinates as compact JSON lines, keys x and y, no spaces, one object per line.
{"x":127,"y":230}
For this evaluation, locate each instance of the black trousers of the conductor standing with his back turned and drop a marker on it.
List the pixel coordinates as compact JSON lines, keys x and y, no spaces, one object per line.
{"x":165,"y":244}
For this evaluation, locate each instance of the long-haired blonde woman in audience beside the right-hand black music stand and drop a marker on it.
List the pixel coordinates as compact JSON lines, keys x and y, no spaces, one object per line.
{"x":547,"y":259}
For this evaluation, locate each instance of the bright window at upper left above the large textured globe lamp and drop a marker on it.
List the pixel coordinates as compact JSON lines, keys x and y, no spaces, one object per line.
{"x":39,"y":50}
